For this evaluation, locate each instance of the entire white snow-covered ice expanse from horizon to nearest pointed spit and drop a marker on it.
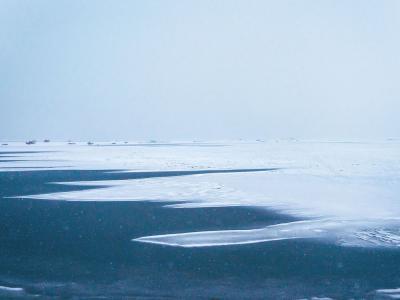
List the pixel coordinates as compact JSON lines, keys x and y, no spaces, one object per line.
{"x":347,"y":191}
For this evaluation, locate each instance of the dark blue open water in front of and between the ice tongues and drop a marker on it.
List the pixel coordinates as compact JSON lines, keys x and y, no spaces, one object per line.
{"x":83,"y":250}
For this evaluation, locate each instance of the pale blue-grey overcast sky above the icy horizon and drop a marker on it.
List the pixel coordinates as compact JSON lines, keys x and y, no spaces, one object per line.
{"x":199,"y":69}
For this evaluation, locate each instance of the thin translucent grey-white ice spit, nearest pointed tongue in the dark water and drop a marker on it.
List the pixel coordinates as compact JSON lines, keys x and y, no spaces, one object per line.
{"x":344,"y":232}
